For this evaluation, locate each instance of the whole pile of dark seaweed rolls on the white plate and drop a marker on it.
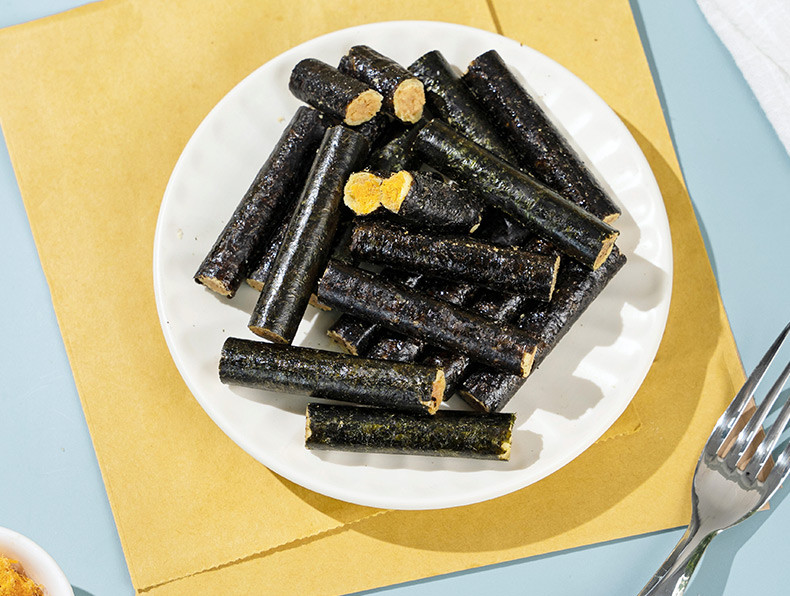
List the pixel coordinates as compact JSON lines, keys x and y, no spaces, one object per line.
{"x":446,"y":222}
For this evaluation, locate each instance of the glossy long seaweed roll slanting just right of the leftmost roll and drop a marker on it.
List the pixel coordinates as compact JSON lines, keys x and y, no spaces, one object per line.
{"x":308,"y":240}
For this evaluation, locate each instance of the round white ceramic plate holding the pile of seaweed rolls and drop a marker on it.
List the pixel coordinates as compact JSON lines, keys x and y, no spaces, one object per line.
{"x":580,"y":390}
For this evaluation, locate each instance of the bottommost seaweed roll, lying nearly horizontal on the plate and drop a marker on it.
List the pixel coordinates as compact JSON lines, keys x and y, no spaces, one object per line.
{"x":448,"y":433}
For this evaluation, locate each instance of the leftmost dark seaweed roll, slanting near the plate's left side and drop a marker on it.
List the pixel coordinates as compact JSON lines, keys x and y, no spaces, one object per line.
{"x":274,"y":188}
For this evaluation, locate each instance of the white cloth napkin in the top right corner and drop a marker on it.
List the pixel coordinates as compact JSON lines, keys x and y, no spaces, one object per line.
{"x":757,"y":34}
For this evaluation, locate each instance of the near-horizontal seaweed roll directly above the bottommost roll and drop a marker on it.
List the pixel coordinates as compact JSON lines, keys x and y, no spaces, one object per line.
{"x":331,"y":375}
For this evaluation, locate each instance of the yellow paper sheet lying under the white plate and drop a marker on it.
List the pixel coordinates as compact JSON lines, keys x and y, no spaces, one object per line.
{"x":96,"y":106}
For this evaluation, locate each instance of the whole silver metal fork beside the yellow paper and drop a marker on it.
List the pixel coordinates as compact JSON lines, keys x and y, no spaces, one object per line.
{"x":733,"y":478}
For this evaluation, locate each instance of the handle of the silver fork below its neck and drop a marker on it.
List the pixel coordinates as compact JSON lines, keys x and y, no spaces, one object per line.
{"x":674,"y":574}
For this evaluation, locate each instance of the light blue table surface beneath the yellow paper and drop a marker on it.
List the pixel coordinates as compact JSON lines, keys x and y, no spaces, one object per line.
{"x":738,"y":176}
